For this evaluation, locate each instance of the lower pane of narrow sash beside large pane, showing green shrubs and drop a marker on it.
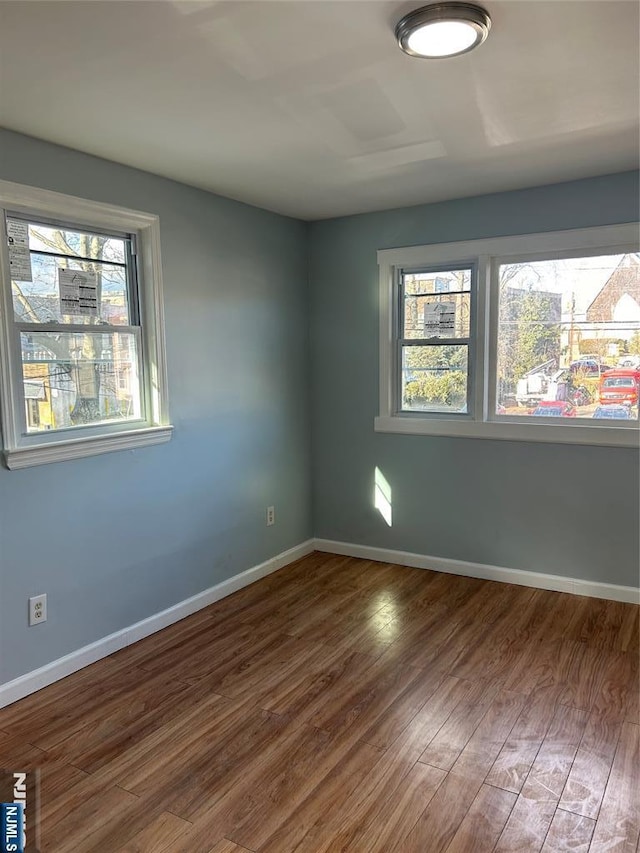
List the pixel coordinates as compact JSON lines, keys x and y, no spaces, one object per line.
{"x":434,"y":378}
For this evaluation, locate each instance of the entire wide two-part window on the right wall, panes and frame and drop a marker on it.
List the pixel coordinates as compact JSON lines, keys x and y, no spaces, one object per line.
{"x":535,"y":337}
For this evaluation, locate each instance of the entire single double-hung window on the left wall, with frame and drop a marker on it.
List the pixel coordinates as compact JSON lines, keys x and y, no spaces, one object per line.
{"x":82,"y":338}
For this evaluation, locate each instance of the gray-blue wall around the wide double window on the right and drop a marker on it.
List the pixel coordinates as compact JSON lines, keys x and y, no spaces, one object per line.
{"x":560,"y":509}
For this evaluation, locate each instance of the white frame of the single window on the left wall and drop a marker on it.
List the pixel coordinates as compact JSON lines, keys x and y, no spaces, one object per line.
{"x":20,"y":450}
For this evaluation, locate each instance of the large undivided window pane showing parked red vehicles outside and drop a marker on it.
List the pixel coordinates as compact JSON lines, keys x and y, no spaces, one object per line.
{"x":563,"y":326}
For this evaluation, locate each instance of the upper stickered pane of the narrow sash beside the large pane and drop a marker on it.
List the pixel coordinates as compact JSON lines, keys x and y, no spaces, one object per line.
{"x":442,"y":316}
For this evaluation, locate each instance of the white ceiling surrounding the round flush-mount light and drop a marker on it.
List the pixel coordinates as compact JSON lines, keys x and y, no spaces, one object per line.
{"x":310,"y":109}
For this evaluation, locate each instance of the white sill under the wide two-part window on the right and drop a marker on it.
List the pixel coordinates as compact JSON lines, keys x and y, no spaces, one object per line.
{"x":503,"y":431}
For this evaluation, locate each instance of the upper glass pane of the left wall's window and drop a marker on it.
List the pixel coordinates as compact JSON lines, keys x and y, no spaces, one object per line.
{"x":46,"y":298}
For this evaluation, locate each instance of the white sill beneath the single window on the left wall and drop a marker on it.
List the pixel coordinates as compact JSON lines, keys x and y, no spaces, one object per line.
{"x":42,"y":454}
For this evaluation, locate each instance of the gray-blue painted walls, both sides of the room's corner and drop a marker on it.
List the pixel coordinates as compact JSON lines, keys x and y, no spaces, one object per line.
{"x":115,"y":538}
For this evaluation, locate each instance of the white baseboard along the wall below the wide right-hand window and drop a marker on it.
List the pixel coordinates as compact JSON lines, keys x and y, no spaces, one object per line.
{"x":558,"y":583}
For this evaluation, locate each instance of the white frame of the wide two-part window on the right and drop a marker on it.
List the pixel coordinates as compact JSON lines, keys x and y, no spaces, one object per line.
{"x":487,"y":254}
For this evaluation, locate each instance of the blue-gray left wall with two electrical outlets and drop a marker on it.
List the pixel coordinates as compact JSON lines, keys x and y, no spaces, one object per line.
{"x":115,"y":538}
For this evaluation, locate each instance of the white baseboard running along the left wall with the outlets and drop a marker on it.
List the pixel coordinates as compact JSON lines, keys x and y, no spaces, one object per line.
{"x":57,"y":669}
